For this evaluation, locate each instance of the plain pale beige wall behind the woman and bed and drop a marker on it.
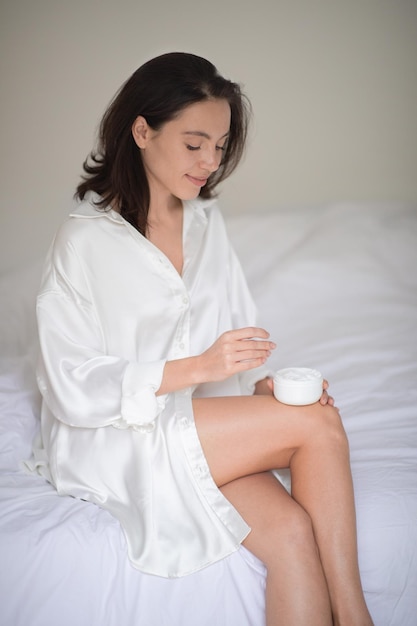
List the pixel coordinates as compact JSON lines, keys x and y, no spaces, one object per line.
{"x":333,"y":85}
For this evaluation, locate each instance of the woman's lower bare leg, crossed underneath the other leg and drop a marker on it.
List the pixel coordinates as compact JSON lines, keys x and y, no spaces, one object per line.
{"x":282,"y":537}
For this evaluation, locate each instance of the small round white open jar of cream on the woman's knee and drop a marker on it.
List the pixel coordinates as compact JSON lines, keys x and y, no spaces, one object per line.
{"x":298,"y":385}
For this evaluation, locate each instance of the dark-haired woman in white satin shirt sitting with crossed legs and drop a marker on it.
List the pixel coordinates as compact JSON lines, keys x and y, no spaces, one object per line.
{"x":156,"y":401}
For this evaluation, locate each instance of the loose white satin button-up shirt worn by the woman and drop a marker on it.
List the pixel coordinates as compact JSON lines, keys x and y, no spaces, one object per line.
{"x":111,"y":311}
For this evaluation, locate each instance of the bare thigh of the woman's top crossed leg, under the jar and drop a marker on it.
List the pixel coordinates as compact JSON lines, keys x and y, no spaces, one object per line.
{"x":252,"y":434}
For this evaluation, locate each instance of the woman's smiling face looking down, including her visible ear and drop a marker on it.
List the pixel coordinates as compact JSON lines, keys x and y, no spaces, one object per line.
{"x":180,"y":156}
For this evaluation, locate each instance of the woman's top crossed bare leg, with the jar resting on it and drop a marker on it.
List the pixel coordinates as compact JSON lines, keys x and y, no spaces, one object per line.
{"x":253,"y":434}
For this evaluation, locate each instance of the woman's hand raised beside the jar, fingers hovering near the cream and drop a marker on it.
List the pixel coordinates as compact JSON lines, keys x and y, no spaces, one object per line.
{"x":233,"y":352}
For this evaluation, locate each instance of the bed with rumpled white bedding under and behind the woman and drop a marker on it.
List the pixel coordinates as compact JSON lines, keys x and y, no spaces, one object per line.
{"x":337,"y":288}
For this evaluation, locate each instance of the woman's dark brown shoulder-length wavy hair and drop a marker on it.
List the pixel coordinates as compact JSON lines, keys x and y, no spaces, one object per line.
{"x":159,"y":90}
